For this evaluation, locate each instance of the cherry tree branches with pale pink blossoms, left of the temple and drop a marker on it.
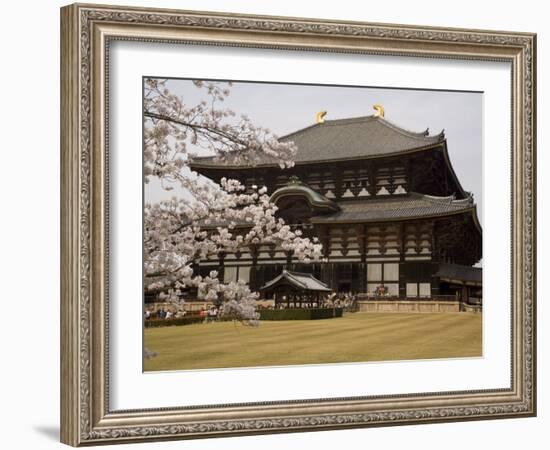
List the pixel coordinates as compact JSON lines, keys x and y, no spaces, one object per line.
{"x":208,"y":220}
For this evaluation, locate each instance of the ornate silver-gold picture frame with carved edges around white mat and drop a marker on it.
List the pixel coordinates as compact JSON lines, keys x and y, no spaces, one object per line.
{"x":87,"y":34}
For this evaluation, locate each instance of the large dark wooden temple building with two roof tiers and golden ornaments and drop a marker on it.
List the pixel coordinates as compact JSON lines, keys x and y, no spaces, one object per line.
{"x":386,"y":204}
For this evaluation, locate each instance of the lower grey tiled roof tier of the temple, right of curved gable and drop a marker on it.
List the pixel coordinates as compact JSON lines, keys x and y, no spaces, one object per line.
{"x":394,"y":208}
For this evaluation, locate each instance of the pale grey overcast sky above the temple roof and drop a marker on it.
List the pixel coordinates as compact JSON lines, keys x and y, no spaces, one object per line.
{"x":285,"y":108}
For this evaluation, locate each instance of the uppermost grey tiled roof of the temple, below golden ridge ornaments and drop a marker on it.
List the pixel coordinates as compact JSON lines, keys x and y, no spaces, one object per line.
{"x":354,"y":138}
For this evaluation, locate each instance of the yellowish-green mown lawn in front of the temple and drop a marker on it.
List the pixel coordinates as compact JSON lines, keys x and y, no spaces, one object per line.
{"x":352,"y":338}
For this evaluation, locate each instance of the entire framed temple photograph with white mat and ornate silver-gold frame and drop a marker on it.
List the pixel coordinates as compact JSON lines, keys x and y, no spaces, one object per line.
{"x":276,"y":225}
